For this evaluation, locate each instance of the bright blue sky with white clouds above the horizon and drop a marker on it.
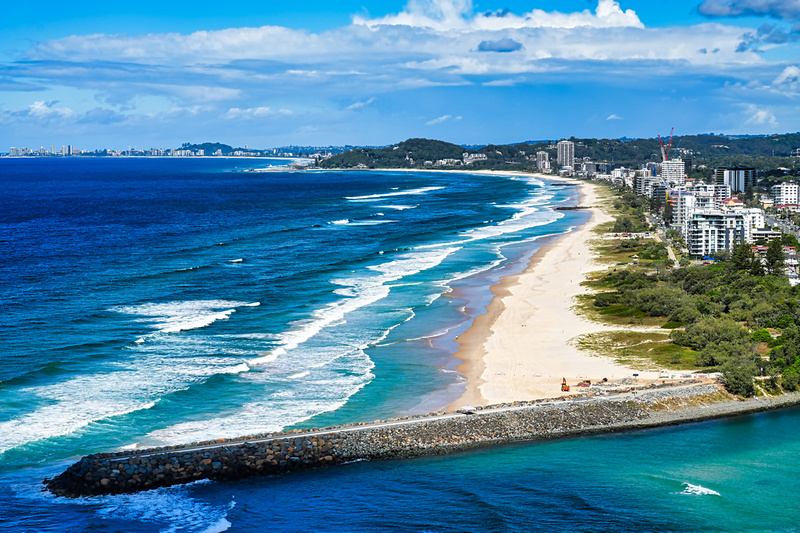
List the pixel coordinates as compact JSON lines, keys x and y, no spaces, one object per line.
{"x":155,"y":74}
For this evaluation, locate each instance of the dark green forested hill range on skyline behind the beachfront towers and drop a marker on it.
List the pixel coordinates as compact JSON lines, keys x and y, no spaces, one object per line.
{"x":712,"y":150}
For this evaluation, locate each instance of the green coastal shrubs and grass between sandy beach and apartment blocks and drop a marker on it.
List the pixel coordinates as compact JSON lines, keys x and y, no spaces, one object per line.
{"x":737,"y":315}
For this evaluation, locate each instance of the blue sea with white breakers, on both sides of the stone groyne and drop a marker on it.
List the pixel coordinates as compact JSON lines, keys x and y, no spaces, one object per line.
{"x":160,"y":301}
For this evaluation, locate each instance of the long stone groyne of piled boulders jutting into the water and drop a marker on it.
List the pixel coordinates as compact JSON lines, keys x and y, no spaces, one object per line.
{"x":132,"y":471}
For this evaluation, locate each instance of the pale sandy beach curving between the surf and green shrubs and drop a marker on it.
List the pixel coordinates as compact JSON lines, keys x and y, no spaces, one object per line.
{"x":520,"y":348}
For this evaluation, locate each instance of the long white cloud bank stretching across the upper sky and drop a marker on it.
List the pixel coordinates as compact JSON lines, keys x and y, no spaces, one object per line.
{"x":373,"y":48}
